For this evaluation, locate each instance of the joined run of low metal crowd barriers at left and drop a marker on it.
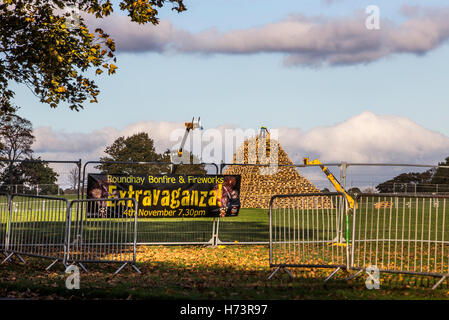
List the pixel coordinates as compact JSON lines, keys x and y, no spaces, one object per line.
{"x":78,"y":231}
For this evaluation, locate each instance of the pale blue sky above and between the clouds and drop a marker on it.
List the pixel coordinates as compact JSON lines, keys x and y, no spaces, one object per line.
{"x":255,"y":87}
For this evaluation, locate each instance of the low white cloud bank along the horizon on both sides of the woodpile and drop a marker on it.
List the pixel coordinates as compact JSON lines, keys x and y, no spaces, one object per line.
{"x":366,"y":137}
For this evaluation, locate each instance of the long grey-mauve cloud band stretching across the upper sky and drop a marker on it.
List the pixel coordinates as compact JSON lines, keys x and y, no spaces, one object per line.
{"x":311,"y":41}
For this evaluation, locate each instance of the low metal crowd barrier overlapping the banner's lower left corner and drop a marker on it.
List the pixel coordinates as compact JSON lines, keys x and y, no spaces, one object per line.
{"x":99,"y":234}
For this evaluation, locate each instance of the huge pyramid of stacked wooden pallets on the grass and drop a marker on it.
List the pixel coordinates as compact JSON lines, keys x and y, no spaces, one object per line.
{"x":260,"y":183}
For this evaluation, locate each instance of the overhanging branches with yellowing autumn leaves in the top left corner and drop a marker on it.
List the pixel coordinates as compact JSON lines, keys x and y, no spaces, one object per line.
{"x":38,"y":47}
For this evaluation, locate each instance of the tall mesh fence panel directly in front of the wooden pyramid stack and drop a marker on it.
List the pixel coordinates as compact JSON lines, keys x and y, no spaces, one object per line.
{"x":259,"y":183}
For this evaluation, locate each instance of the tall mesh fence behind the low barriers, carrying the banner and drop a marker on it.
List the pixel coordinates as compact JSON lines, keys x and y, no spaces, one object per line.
{"x":250,"y":227}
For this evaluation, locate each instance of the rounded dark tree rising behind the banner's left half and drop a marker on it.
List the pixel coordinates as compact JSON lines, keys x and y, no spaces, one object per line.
{"x":138,"y":147}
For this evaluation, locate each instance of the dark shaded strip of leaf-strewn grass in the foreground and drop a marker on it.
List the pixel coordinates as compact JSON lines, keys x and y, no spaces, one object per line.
{"x":167,"y":280}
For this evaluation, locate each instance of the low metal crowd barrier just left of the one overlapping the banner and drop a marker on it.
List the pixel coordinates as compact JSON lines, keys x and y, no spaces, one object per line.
{"x":37,"y":226}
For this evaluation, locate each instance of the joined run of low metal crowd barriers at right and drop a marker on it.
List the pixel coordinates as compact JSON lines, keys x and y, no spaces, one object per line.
{"x":407,"y":234}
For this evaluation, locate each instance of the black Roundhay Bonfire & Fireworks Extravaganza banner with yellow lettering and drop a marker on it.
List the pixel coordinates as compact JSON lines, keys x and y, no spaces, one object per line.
{"x":165,"y":196}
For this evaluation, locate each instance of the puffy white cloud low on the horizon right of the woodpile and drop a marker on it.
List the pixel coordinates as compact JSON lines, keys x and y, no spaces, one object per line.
{"x":370,"y":138}
